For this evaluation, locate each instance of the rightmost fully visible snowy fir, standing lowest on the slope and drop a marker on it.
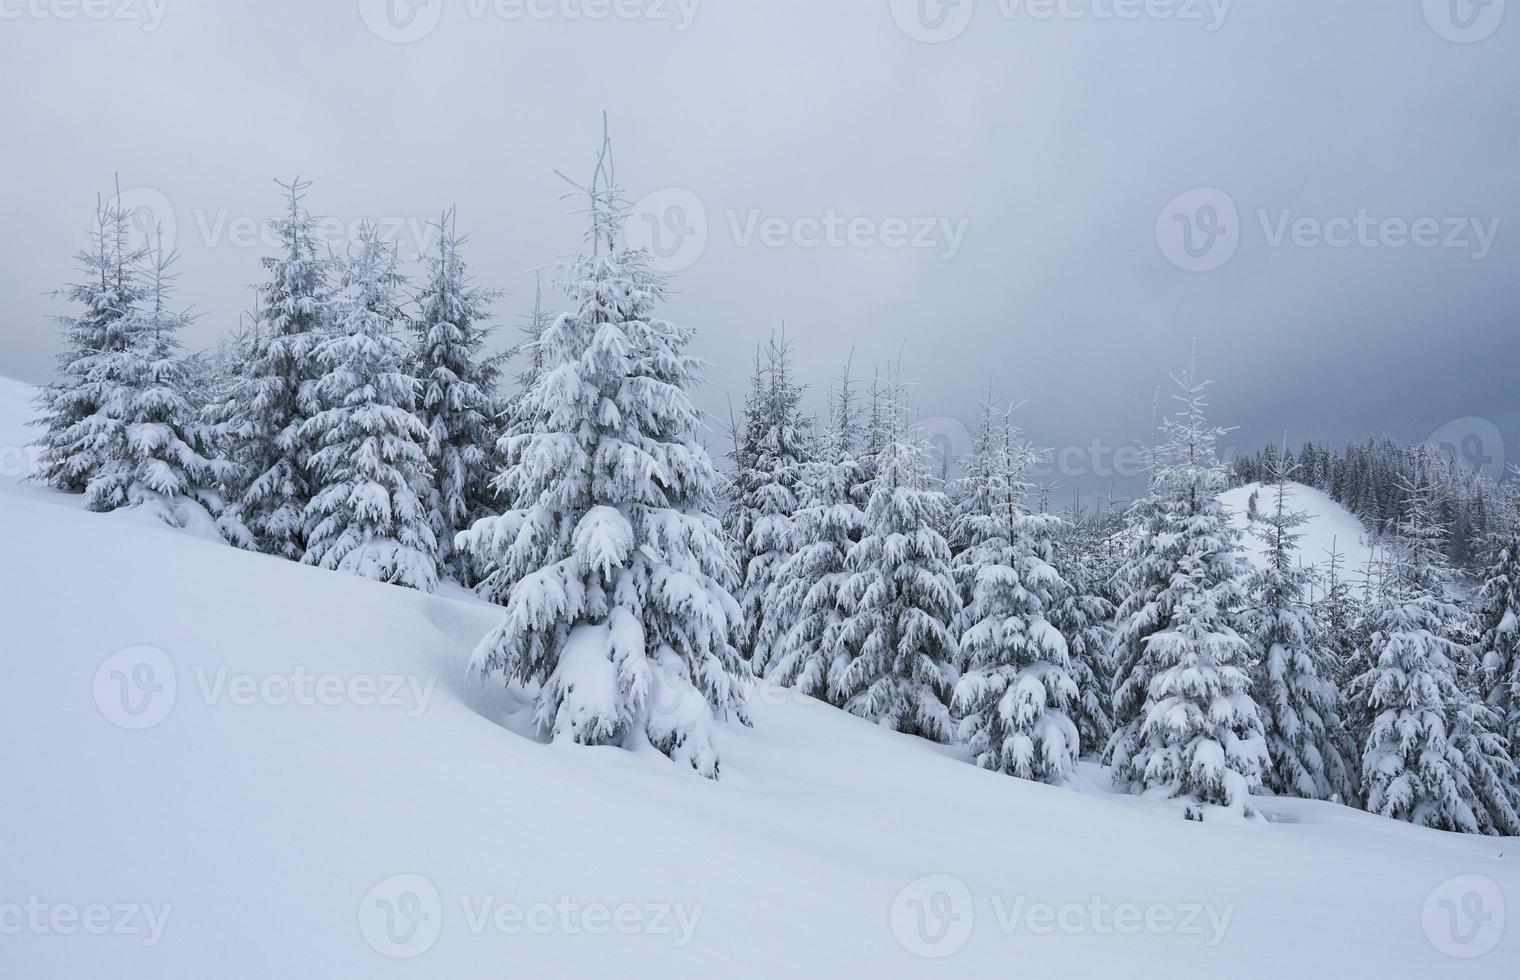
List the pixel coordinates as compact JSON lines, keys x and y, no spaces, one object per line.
{"x":1410,"y":692}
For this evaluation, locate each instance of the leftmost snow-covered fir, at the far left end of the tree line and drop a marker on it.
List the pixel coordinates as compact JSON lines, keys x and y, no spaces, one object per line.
{"x":81,"y":411}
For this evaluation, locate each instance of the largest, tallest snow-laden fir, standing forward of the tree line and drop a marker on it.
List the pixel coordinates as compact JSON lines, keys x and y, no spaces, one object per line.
{"x":619,"y":613}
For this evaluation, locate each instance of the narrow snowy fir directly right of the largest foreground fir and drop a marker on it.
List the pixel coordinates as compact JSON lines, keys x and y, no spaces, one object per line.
{"x":770,"y":499}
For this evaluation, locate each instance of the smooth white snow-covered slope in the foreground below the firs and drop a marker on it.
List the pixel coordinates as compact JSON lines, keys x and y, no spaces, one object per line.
{"x":285,"y":785}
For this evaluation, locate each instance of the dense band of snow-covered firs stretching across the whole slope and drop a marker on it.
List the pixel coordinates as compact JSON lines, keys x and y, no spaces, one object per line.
{"x":366,"y":428}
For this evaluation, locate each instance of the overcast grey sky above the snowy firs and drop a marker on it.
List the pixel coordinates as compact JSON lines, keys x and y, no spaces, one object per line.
{"x":1031,"y":156}
